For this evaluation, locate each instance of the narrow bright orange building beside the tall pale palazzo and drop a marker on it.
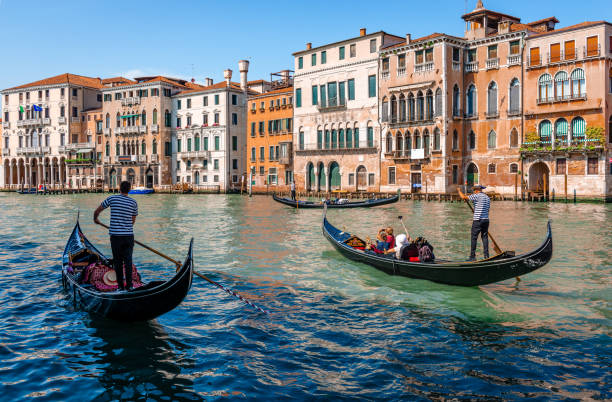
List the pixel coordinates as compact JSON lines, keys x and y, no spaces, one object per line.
{"x":270,"y":136}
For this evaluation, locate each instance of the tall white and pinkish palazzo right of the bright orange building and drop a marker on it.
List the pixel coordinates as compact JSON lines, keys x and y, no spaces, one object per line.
{"x":336,"y":118}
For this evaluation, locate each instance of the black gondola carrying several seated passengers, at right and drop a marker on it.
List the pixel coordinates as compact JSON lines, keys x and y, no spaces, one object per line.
{"x":500,"y":267}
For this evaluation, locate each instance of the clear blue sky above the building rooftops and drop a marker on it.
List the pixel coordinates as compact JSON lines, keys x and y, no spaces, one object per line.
{"x":201,"y":38}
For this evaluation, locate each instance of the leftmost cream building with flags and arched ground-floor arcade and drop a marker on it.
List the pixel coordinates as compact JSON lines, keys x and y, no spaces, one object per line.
{"x":41,"y":122}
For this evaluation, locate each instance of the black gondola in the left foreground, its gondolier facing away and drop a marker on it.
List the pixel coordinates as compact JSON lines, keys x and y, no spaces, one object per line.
{"x":144,"y":303}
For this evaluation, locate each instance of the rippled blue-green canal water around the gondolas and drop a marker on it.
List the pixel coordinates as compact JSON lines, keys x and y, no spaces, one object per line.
{"x":336,"y":329}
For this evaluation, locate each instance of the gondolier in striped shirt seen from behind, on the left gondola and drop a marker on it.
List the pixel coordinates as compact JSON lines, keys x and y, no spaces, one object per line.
{"x":124,"y":210}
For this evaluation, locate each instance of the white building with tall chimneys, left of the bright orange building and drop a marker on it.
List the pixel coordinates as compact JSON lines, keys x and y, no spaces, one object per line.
{"x":210,"y":134}
